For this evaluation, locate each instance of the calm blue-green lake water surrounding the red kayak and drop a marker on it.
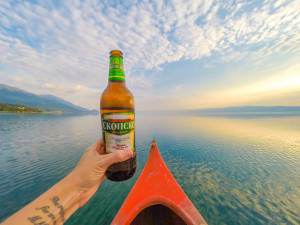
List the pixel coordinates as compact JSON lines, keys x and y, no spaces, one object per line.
{"x":236,"y":170}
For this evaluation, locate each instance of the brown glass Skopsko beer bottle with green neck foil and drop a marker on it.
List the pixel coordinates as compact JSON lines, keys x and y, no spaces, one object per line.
{"x":117,"y":118}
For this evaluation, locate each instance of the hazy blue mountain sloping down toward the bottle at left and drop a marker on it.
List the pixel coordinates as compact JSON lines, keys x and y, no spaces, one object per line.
{"x":47,"y":103}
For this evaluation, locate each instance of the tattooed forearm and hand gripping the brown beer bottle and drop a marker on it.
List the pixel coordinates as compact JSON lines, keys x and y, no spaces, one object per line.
{"x":57,"y":204}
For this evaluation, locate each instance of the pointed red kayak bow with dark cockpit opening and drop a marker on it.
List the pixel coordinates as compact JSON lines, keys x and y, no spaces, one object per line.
{"x":156,"y":198}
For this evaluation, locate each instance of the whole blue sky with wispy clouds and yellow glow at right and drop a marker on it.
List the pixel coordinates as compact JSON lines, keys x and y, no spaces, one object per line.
{"x":178,"y":54}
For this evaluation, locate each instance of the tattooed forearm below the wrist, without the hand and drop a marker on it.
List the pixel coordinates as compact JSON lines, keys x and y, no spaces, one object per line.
{"x":55,"y":206}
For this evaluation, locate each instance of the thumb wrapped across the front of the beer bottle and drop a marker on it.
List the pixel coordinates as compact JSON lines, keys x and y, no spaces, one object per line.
{"x":117,"y":156}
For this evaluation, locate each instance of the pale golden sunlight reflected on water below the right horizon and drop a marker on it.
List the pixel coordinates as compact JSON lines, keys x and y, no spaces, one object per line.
{"x":283,"y":130}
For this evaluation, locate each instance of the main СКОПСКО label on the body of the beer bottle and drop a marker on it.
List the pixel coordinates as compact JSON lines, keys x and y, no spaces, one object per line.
{"x":118,"y":131}
